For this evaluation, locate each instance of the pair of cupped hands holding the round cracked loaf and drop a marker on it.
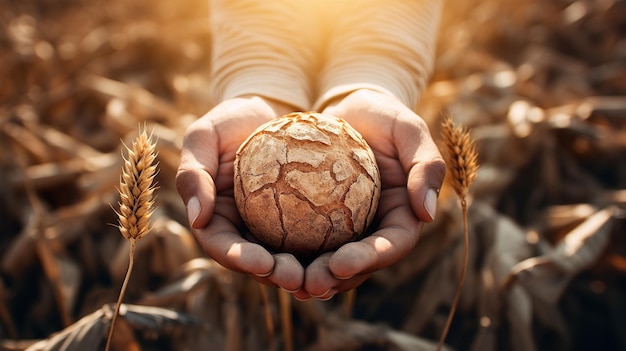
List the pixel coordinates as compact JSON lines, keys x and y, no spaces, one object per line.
{"x":411,"y":168}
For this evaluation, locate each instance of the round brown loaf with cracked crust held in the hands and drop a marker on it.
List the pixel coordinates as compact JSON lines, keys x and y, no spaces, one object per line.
{"x":306,"y":183}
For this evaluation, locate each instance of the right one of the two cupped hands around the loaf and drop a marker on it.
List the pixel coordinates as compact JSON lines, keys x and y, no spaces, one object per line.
{"x":412,"y":172}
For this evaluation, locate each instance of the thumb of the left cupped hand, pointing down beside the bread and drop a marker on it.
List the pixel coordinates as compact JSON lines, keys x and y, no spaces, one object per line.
{"x":195,"y":176}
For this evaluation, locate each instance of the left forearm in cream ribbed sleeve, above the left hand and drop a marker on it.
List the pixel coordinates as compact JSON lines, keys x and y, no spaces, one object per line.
{"x":259,"y":49}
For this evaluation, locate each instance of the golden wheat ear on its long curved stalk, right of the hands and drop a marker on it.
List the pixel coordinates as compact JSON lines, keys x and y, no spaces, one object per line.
{"x":462,"y":163}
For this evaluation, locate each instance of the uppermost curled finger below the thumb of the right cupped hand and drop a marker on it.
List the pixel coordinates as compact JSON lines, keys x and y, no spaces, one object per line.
{"x":396,"y":237}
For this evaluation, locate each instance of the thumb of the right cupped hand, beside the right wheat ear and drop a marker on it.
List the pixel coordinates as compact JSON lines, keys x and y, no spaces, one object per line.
{"x":423,"y":163}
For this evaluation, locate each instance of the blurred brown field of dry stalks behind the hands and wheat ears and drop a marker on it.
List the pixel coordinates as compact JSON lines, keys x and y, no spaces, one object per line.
{"x":542,"y":84}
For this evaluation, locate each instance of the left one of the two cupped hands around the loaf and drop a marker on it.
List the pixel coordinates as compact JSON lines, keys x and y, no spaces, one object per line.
{"x":205,"y":183}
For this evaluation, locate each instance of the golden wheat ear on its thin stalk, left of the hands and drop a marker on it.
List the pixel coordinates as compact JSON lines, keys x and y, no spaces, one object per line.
{"x":136,"y":202}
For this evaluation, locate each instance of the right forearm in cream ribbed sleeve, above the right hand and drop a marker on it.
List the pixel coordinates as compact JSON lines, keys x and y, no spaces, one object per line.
{"x":387,"y":46}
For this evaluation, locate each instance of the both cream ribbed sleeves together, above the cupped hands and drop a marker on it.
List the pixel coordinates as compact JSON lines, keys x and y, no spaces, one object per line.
{"x":307,"y":52}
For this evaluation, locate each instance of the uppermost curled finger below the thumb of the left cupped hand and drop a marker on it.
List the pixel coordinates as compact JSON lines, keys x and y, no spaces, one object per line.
{"x":222,"y":242}
